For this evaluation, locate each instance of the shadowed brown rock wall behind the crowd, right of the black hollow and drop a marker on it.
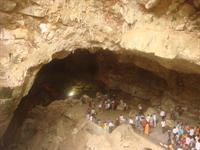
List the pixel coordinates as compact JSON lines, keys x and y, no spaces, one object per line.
{"x":143,"y":78}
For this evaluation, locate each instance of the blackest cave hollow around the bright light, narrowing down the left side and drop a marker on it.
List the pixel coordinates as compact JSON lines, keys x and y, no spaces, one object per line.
{"x":55,"y":81}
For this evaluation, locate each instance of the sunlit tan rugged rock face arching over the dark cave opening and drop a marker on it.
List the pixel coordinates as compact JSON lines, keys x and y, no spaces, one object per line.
{"x":33,"y":32}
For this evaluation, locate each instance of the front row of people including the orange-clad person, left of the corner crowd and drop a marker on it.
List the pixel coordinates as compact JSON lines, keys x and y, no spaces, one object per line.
{"x":140,"y":122}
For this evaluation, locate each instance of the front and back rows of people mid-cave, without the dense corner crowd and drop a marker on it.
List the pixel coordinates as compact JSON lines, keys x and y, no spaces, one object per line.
{"x":139,"y":122}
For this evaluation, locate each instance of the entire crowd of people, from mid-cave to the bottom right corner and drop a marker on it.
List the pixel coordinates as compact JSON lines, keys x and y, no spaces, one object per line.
{"x":181,"y":137}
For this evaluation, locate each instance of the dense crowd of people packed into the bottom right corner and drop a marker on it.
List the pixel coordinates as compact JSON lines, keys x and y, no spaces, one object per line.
{"x":184,"y":137}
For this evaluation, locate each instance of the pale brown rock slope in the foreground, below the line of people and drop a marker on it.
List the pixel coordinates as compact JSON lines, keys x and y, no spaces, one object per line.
{"x":43,"y":129}
